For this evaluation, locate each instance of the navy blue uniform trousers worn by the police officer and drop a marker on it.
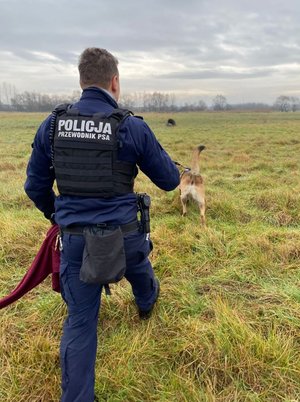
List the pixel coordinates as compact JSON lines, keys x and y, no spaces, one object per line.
{"x":79,"y":340}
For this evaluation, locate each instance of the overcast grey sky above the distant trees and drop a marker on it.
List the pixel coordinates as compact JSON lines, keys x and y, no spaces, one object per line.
{"x":247,"y":50}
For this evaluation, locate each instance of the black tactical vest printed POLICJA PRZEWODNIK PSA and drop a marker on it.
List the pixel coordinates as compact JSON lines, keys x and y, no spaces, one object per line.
{"x":84,"y":154}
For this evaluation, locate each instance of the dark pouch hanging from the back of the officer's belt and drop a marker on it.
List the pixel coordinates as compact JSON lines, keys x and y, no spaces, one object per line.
{"x":103,"y":259}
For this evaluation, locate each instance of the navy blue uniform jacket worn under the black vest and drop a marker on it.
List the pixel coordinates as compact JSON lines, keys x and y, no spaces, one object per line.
{"x":139,"y":146}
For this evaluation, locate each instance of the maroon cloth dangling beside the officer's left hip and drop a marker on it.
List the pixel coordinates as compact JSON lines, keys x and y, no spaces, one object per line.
{"x":45,"y":263}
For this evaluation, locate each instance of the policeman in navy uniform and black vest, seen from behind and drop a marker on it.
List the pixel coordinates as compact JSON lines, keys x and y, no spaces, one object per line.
{"x":87,"y":199}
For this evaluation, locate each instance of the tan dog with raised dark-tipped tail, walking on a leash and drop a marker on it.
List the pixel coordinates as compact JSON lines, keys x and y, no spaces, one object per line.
{"x":192,"y":185}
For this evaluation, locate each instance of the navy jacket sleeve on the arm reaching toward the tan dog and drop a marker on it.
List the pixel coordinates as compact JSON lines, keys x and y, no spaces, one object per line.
{"x":155,"y":162}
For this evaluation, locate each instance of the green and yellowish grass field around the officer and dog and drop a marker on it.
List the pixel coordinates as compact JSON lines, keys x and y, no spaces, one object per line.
{"x":227,"y":324}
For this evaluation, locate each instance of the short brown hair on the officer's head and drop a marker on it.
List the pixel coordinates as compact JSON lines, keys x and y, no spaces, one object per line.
{"x":97,"y":67}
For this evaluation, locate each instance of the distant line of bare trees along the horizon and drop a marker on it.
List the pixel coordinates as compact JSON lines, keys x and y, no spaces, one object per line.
{"x":12,"y":100}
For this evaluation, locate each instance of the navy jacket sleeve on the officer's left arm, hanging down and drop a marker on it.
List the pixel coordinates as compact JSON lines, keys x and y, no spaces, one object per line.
{"x":40,"y":175}
